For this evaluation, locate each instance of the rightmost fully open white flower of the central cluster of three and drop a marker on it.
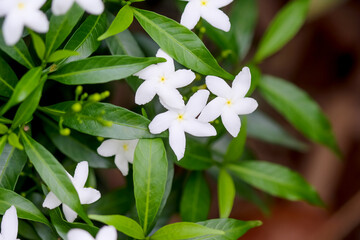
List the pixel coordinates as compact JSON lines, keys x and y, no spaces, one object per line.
{"x":230,"y":102}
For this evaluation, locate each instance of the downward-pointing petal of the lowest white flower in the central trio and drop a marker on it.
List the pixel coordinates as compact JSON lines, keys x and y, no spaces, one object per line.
{"x":177,"y":140}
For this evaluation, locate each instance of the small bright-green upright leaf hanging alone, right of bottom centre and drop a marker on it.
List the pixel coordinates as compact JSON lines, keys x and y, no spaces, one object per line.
{"x":226,"y":193}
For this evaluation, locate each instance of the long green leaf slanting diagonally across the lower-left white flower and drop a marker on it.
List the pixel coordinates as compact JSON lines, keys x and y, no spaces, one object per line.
{"x":53,"y":174}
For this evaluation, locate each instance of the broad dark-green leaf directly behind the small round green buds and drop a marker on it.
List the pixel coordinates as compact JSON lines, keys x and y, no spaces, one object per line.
{"x":125,"y":124}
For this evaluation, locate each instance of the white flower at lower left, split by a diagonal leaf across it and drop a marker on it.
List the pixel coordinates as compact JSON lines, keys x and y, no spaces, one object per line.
{"x":86,"y":195}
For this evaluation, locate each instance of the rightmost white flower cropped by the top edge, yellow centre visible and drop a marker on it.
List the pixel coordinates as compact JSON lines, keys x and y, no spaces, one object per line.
{"x":207,"y":9}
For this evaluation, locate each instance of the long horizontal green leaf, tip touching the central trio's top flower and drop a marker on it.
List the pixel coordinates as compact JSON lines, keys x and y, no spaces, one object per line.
{"x":101,"y":69}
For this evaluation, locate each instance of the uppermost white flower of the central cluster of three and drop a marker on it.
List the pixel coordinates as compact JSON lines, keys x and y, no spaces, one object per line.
{"x":162,"y":79}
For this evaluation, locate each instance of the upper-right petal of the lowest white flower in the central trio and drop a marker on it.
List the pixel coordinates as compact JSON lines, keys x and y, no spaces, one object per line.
{"x":196,"y":103}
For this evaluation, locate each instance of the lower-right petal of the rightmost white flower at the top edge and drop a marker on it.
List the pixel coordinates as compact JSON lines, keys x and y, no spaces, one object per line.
{"x":216,"y":18}
